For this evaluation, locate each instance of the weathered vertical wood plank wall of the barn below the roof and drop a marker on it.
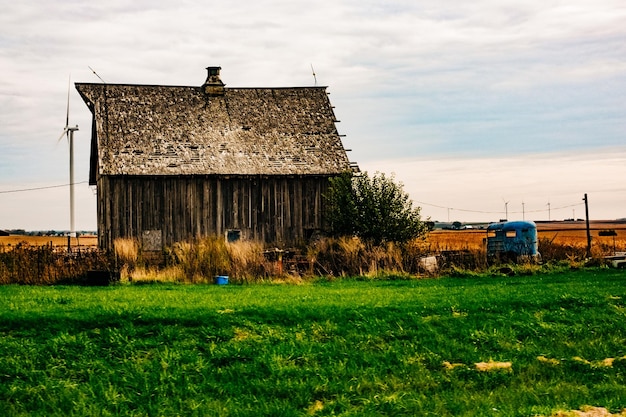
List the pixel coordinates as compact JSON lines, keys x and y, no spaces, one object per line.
{"x":274,"y":210}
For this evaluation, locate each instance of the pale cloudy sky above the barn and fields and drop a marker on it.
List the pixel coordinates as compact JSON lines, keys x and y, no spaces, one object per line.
{"x":470,"y":104}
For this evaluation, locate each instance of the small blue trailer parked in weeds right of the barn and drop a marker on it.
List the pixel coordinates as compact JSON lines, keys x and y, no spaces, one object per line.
{"x":512,"y":241}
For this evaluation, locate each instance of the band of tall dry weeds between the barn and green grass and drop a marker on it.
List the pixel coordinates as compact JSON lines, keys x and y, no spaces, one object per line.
{"x":200,"y":260}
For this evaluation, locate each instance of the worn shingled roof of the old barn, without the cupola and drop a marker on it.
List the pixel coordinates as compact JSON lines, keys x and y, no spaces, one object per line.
{"x":173,"y":130}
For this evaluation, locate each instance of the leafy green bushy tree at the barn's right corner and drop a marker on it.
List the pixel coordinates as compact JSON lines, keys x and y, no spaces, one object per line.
{"x":374,"y":208}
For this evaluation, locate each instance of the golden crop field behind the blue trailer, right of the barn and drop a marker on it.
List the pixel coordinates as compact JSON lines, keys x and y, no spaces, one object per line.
{"x":560,"y":233}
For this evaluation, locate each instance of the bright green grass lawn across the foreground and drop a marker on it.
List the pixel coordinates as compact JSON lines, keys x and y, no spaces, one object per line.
{"x":347,"y":347}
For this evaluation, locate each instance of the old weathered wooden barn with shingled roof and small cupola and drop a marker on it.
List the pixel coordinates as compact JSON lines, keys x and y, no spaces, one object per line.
{"x":171,"y":163}
